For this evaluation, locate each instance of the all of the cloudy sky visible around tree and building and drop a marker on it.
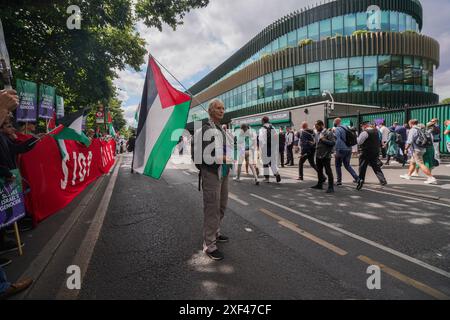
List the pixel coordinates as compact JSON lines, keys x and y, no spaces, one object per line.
{"x":210,"y":35}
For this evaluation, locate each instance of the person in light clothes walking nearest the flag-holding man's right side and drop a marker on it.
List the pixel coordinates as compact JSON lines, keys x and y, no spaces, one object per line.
{"x":246,"y":143}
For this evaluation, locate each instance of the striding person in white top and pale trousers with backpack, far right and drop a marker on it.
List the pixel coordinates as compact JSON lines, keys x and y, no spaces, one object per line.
{"x":418,"y":141}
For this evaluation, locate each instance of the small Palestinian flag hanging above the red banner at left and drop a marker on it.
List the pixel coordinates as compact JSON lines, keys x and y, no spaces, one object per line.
{"x":72,"y":129}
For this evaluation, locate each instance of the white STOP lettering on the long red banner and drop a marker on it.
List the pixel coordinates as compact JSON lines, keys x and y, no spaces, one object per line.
{"x":81,"y":168}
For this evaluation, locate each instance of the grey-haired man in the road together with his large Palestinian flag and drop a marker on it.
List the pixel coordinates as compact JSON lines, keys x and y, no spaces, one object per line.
{"x":163,"y":111}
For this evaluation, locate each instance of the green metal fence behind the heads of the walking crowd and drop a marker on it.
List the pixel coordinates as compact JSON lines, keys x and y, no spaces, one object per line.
{"x":423,"y":114}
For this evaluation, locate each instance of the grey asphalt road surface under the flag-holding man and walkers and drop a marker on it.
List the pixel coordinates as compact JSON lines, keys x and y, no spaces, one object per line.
{"x":137,"y":238}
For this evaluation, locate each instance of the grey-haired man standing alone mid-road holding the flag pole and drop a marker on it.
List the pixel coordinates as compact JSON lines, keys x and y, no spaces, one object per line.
{"x":214,"y":175}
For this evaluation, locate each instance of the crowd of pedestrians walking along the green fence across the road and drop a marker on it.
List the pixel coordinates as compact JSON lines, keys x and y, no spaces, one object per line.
{"x":376,"y":145}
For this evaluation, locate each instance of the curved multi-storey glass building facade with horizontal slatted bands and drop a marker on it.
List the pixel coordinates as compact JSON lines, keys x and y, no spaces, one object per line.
{"x":361,"y":72}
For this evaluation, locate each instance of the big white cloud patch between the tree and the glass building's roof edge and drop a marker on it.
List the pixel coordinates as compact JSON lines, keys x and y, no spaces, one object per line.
{"x":210,"y":35}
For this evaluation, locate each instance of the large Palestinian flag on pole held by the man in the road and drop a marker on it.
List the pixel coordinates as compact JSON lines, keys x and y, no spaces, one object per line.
{"x":163,"y":110}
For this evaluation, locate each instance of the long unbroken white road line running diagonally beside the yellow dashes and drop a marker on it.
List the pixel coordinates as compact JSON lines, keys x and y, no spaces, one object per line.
{"x":360,"y":238}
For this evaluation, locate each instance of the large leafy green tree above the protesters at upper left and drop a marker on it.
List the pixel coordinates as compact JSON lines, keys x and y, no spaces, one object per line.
{"x":82,"y":64}
